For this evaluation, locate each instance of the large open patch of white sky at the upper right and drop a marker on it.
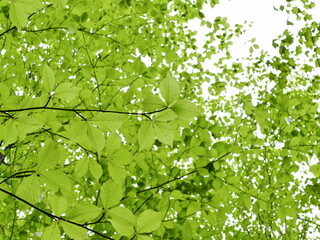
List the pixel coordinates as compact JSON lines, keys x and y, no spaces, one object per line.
{"x":267,"y":23}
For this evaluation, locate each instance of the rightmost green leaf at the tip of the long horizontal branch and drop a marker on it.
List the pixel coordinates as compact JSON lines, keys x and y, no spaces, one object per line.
{"x":185,"y":109}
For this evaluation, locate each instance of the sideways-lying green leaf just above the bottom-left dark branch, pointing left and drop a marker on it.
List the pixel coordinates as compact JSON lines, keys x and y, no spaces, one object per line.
{"x":84,"y":212}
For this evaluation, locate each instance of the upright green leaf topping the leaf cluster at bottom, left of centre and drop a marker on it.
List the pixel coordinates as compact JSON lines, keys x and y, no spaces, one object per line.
{"x":111,"y":194}
